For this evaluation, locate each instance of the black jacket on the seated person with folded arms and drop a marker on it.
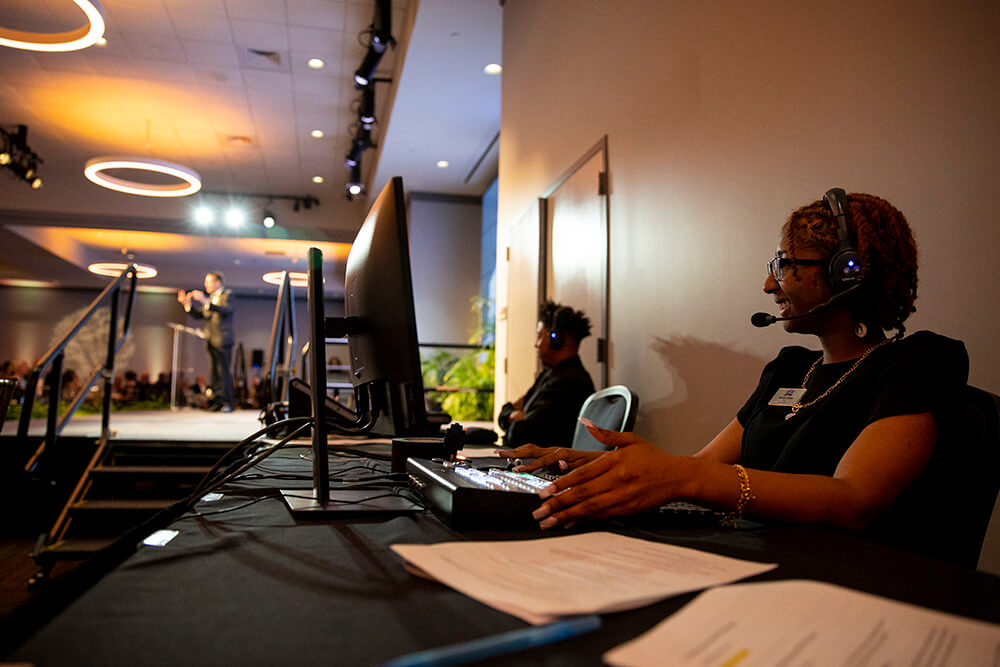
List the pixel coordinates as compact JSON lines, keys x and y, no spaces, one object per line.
{"x":551,"y":407}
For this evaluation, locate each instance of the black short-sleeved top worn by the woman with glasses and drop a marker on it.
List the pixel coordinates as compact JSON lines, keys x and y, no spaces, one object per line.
{"x":923,"y":372}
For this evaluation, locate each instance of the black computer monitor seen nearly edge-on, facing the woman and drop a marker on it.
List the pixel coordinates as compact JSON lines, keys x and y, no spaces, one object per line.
{"x":381,"y":321}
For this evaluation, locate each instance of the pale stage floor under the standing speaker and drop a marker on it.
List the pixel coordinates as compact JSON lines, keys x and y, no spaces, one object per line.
{"x":184,"y":424}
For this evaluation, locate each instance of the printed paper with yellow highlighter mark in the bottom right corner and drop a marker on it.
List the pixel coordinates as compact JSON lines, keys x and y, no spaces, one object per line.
{"x":798,"y":622}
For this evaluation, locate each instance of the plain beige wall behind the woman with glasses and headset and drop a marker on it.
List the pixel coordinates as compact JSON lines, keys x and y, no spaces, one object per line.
{"x":723,"y":117}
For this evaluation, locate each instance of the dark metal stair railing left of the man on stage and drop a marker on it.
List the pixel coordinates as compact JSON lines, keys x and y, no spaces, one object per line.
{"x":52,"y":363}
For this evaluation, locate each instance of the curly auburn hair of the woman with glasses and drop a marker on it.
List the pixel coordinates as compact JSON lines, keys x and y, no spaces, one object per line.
{"x":885,"y":243}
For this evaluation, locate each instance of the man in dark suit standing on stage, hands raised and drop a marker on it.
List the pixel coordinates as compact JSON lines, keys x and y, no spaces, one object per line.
{"x":215,"y":307}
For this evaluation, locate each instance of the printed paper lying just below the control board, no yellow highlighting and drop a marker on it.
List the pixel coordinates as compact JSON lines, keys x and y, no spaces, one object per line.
{"x":542,"y":579}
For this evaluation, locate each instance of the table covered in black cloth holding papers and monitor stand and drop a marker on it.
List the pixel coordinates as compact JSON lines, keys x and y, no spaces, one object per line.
{"x":256,"y":587}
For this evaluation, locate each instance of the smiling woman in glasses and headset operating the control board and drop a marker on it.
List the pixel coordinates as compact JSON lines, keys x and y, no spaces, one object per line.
{"x":855,"y":436}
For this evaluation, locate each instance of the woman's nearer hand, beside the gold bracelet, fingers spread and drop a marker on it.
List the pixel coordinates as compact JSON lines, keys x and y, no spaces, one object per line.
{"x":635,"y":477}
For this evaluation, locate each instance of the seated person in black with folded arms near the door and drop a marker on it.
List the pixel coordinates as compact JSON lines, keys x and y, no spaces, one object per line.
{"x":547,"y":413}
